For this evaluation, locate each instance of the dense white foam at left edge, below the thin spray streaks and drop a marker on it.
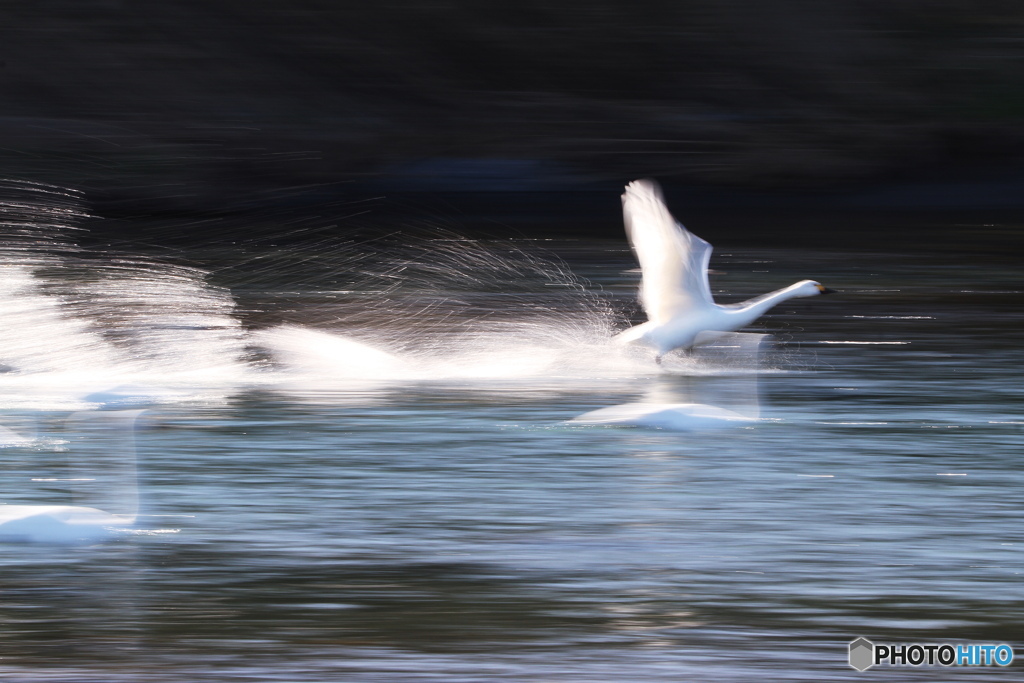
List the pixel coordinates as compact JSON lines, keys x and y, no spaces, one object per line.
{"x":159,"y":330}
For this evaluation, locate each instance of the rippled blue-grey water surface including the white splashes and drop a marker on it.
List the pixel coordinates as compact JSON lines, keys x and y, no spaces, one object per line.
{"x":437,"y":520}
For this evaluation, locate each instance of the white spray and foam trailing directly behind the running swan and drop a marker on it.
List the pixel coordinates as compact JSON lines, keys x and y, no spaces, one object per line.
{"x":453,"y":309}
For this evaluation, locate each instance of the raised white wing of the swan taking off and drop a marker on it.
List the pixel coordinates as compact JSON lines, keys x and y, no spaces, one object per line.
{"x":674,"y":262}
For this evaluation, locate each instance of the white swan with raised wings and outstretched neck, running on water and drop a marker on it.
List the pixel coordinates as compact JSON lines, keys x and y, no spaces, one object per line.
{"x":674,"y":290}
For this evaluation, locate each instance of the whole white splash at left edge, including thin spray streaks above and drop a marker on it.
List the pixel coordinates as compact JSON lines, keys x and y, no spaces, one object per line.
{"x":78,"y":322}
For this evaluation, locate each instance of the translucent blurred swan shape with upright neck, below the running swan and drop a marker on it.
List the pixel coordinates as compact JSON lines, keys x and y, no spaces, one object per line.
{"x":670,"y":404}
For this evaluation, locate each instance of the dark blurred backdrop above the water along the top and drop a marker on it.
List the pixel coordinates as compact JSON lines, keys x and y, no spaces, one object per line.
{"x":221,"y":107}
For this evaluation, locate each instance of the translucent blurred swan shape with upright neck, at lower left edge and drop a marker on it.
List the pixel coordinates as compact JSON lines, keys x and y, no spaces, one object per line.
{"x":105,"y":458}
